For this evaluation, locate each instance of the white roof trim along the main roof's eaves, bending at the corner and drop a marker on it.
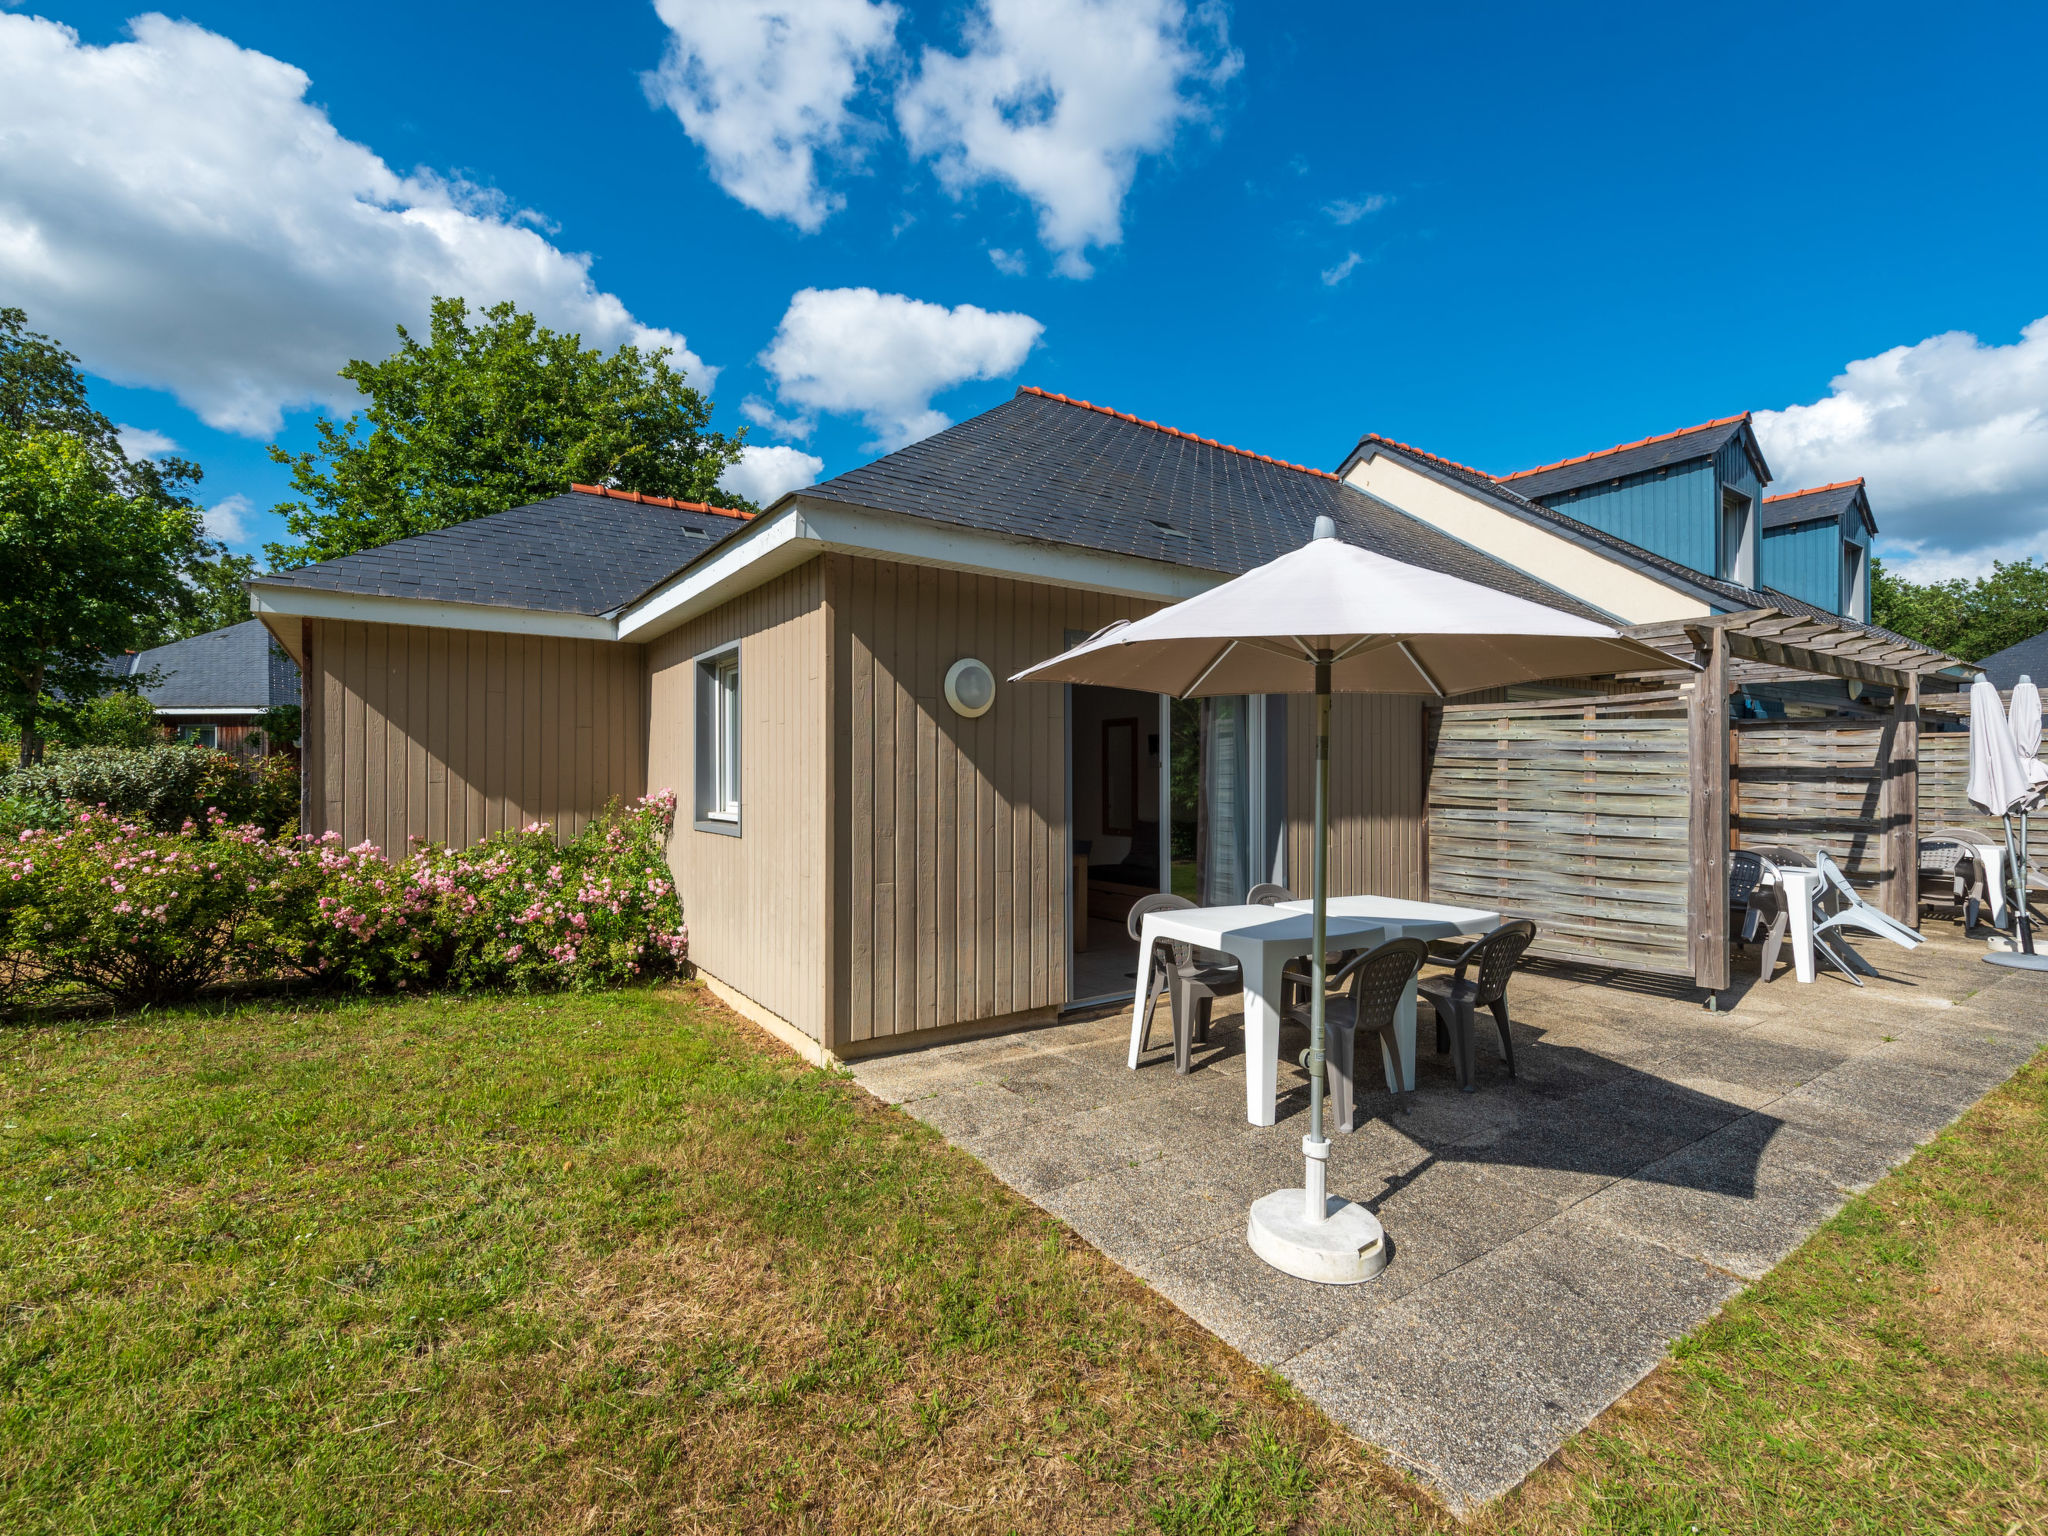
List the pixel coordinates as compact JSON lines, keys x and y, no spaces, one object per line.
{"x":808,"y":529}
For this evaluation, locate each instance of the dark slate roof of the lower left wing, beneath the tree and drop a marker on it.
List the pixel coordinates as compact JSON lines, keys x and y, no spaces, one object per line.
{"x":585,"y":552}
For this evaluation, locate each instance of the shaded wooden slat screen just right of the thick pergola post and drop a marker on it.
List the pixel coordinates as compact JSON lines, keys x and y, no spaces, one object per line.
{"x":1814,"y":785}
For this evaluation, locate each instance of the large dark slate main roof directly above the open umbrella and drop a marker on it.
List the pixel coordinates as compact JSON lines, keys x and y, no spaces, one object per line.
{"x":1070,"y":472}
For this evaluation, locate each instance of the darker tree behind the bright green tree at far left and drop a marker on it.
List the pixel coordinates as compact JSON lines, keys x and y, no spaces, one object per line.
{"x":44,"y":390}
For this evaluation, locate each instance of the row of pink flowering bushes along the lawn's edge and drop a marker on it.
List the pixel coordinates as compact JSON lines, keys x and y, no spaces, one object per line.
{"x":142,"y":916}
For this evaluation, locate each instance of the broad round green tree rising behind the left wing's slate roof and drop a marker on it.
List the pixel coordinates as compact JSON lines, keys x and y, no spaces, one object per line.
{"x":488,"y":415}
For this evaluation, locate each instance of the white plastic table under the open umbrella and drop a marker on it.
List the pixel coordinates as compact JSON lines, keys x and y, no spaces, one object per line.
{"x":1265,"y":939}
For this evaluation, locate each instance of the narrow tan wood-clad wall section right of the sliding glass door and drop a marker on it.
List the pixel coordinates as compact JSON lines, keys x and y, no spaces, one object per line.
{"x":1377,"y":773}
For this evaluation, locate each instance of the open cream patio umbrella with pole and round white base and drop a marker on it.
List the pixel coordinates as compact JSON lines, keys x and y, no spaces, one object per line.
{"x":1332,"y":617}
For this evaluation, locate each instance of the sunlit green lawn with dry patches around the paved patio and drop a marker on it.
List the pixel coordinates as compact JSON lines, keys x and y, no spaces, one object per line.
{"x":622,"y":1265}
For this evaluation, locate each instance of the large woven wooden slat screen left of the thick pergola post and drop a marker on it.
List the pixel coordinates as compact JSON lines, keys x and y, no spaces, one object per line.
{"x":1574,"y":816}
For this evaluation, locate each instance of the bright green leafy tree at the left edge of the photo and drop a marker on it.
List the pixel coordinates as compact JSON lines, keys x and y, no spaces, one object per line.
{"x":83,"y":566}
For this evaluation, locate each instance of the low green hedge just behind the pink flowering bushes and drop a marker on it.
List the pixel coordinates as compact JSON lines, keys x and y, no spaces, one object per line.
{"x":165,"y":787}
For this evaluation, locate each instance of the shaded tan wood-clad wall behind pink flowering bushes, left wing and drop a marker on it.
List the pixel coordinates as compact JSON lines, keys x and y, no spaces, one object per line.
{"x":452,"y":736}
